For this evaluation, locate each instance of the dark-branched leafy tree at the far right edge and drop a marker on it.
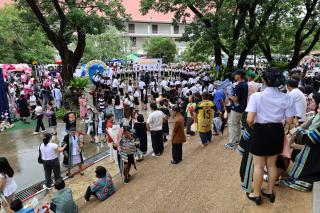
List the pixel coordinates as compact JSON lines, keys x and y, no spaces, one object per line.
{"x":295,"y":31}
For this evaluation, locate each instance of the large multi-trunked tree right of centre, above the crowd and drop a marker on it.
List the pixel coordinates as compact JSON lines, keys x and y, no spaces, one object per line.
{"x":231,"y":26}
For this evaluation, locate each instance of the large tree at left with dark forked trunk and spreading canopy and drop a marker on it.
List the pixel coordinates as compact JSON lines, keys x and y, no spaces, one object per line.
{"x":62,"y":19}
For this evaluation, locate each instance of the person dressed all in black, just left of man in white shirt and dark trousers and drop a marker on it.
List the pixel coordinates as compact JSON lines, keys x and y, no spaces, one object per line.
{"x":140,"y":129}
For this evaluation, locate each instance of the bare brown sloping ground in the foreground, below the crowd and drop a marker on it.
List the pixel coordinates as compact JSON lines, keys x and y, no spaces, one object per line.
{"x":207,"y":180}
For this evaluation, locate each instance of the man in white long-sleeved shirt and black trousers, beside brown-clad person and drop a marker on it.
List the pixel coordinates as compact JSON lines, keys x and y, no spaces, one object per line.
{"x":154,"y":126}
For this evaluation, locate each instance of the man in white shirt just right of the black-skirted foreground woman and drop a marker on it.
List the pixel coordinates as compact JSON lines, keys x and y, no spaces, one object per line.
{"x":299,"y":99}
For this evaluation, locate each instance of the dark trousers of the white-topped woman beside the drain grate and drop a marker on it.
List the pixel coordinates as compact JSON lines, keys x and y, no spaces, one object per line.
{"x":49,"y":167}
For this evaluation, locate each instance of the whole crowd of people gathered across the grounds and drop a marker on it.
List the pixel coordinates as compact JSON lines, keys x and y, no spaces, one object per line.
{"x":265,"y":111}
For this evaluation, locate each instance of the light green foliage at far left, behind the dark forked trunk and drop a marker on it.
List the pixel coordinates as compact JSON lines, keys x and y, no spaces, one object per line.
{"x":20,"y":41}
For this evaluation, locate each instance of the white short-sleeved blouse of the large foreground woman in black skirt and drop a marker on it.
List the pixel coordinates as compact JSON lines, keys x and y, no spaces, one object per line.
{"x":271,"y":106}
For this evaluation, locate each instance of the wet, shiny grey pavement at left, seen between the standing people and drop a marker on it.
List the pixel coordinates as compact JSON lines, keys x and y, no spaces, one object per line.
{"x":20,"y":147}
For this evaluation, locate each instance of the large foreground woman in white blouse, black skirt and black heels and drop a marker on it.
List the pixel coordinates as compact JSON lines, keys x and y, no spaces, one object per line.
{"x":267,"y":111}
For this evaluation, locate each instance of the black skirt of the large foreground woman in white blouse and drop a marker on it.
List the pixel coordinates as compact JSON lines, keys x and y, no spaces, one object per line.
{"x":267,"y":139}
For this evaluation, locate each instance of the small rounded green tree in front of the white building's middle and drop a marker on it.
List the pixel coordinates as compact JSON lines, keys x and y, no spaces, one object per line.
{"x":159,"y":47}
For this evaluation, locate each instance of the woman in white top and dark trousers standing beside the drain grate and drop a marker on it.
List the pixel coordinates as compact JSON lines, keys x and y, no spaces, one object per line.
{"x":49,"y":154}
